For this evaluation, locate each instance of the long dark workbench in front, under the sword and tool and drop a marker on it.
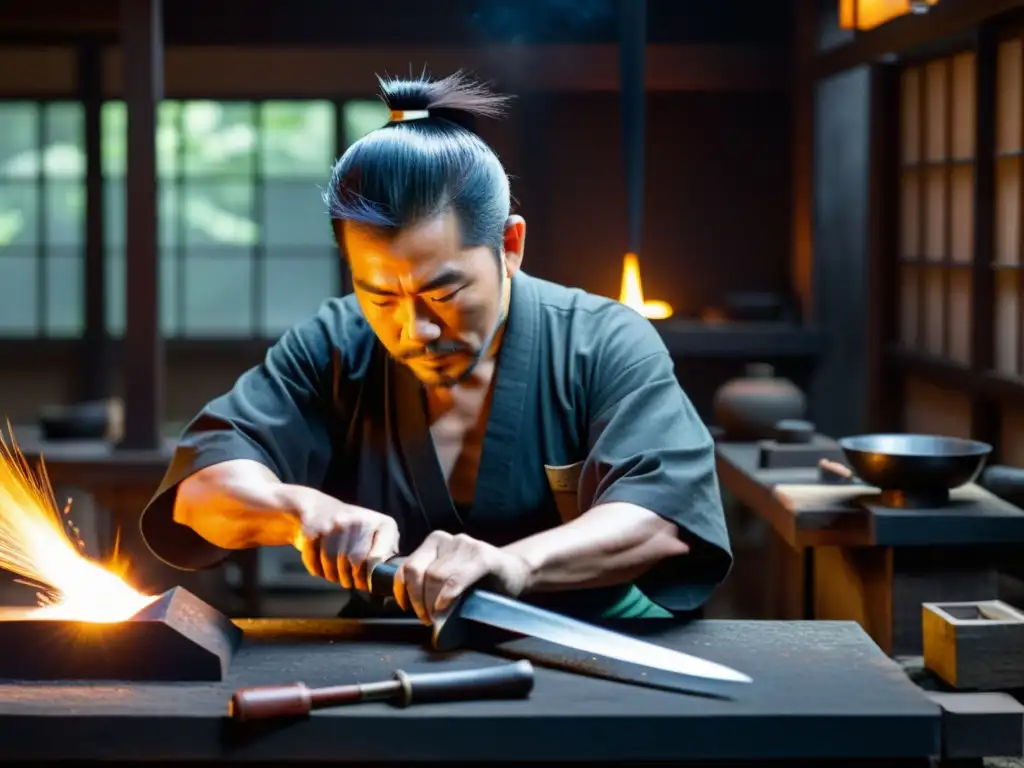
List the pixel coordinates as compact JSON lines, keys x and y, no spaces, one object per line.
{"x":822,"y":691}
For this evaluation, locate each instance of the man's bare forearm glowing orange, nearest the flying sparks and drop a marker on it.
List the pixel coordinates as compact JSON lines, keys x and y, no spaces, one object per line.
{"x":238,"y":505}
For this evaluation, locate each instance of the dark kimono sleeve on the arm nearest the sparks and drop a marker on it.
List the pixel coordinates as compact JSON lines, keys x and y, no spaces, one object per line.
{"x":277,"y":414}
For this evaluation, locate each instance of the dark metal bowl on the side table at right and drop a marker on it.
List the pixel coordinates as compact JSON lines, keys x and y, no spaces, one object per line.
{"x":920,"y":466}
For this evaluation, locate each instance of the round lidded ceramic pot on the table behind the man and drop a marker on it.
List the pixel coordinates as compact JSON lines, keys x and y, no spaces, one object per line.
{"x":749,"y":408}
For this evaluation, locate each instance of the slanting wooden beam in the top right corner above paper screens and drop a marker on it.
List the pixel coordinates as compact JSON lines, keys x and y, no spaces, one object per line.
{"x":947,"y":20}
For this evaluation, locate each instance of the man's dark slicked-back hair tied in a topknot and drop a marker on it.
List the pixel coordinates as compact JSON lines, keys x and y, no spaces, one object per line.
{"x":409,"y":172}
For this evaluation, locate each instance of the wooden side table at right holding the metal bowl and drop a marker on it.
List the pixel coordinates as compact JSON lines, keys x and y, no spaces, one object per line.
{"x":870,"y":565}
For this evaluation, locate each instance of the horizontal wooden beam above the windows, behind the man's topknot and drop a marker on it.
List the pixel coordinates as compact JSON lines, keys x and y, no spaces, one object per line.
{"x":313,"y":72}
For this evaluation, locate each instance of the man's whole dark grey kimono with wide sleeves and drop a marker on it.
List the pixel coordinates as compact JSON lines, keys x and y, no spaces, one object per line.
{"x":586,"y":411}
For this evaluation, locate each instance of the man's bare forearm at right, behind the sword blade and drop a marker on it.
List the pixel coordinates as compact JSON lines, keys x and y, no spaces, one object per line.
{"x":611,"y":544}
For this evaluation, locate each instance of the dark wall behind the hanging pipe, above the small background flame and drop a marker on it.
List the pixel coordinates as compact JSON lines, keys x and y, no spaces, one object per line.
{"x":717,"y":197}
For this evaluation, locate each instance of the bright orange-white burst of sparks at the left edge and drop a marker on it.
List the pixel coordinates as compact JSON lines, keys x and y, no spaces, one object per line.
{"x":36,"y":546}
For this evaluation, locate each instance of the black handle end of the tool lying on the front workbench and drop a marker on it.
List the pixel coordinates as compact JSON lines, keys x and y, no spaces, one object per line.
{"x":506,"y":681}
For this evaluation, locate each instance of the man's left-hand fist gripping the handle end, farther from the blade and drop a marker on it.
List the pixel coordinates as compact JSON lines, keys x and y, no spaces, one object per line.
{"x":340,"y":541}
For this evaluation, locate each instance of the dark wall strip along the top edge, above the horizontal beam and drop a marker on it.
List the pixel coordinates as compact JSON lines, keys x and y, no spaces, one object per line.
{"x":413,"y":23}
